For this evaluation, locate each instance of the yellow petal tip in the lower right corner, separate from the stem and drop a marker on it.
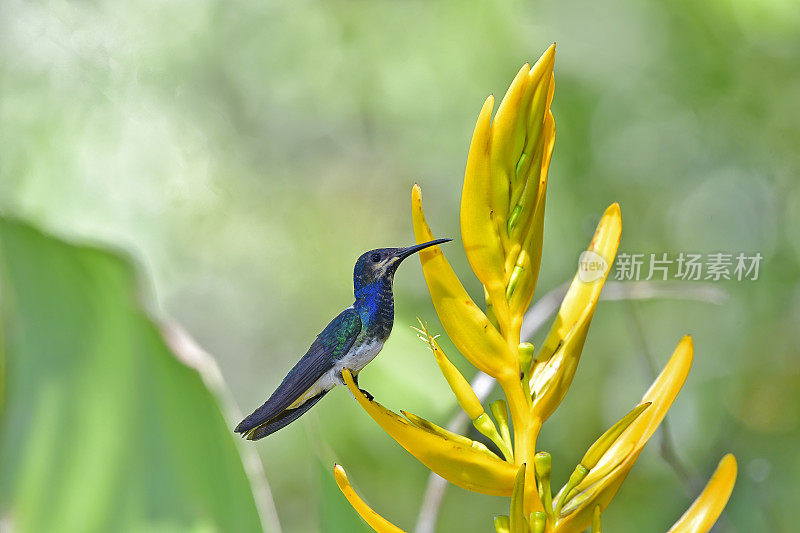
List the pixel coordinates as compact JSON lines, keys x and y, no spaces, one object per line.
{"x":709,"y":505}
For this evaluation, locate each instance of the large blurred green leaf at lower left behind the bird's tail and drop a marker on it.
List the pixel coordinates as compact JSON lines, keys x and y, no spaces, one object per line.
{"x":104,"y":429}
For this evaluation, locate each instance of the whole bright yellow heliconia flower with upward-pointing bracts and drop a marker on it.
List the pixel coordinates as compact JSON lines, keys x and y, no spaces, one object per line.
{"x":502,"y":217}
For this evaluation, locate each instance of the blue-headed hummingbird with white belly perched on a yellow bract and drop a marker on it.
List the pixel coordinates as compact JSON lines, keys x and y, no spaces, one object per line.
{"x":351,"y":340}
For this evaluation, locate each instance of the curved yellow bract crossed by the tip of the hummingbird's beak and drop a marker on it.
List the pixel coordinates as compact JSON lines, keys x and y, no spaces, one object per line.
{"x":466,"y":325}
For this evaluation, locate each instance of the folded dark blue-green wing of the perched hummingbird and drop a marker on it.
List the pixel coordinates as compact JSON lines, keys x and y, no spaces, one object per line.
{"x":330,"y":345}
